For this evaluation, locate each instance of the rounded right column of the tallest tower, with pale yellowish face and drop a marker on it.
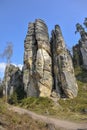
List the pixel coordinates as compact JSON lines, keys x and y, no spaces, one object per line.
{"x":43,"y":59}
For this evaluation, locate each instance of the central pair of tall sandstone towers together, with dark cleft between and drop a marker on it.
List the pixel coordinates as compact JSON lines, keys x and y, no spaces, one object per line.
{"x":48,"y":68}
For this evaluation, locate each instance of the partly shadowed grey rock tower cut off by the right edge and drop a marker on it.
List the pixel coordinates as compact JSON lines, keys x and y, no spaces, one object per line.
{"x":80,"y":52}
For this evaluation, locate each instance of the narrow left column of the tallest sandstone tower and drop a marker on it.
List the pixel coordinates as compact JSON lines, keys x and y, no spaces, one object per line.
{"x":29,"y":70}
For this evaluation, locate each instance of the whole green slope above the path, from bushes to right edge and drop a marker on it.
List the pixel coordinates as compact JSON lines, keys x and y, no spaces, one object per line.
{"x":72,"y":109}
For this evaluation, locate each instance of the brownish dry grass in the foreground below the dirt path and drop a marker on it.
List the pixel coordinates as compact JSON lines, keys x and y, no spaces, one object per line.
{"x":13,"y":121}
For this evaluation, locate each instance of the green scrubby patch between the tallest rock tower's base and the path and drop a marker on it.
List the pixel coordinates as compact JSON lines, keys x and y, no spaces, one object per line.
{"x":41,"y":105}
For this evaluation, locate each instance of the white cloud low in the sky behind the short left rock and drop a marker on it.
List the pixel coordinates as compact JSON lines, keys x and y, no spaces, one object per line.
{"x":3,"y":65}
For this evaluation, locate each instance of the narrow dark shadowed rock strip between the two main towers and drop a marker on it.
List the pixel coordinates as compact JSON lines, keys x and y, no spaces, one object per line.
{"x":56,"y":70}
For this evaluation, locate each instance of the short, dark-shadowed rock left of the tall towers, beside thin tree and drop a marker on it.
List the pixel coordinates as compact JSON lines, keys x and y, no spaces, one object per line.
{"x":13,"y":80}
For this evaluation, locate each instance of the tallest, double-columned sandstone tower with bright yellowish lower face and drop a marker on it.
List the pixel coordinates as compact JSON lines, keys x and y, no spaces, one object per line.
{"x":37,"y":76}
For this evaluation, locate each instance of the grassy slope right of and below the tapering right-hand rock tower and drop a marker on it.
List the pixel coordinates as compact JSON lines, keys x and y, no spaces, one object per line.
{"x":77,"y":106}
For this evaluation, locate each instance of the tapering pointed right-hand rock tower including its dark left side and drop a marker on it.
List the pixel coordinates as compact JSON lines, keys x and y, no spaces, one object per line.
{"x":62,"y":68}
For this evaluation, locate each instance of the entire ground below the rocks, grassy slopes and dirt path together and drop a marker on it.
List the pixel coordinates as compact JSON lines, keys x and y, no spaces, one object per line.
{"x":44,"y":114}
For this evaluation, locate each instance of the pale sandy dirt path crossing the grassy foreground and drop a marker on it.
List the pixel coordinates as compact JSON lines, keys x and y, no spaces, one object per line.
{"x":56,"y":122}
